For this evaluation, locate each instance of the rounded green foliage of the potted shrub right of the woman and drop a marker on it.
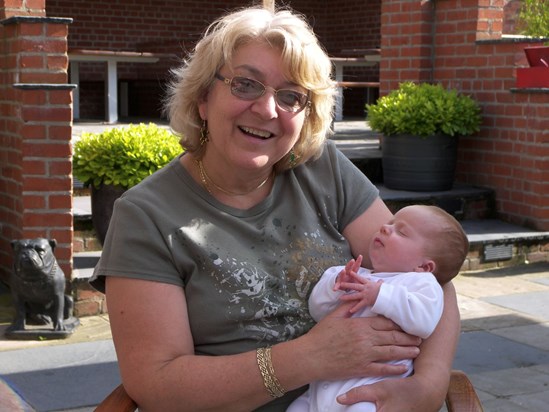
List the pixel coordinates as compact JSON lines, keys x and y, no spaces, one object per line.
{"x":424,"y":110}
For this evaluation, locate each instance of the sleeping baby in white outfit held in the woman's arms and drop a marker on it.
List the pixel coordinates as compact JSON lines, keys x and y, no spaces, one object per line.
{"x":420,"y":249}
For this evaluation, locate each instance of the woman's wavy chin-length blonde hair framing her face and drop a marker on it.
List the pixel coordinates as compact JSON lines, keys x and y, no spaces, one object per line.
{"x":307,"y":63}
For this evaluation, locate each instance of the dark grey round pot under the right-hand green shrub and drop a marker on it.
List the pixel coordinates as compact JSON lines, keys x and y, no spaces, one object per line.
{"x":420,"y":164}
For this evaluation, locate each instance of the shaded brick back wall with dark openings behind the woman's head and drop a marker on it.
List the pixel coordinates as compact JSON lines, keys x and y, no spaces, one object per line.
{"x":174,"y":28}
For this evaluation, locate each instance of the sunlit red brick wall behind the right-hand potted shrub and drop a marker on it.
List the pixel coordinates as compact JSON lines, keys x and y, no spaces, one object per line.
{"x":510,"y":154}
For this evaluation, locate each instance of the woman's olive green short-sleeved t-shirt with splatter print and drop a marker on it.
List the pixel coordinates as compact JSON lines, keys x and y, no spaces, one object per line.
{"x":247,"y":274}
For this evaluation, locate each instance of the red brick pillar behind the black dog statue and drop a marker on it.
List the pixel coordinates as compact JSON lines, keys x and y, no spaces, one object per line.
{"x":35,"y":132}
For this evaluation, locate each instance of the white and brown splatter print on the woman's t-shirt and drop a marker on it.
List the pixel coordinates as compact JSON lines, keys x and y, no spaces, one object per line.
{"x":265,"y":287}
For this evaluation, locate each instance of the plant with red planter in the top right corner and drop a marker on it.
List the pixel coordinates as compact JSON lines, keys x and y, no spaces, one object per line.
{"x":533,"y":21}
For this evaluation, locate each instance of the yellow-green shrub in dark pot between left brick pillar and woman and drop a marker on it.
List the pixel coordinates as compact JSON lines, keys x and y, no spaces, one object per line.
{"x":115,"y":160}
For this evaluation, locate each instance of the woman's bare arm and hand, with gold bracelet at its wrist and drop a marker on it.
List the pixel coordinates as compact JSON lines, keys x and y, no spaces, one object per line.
{"x":160,"y":371}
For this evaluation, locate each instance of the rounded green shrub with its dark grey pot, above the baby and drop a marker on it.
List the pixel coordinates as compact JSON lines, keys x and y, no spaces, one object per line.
{"x":421,"y":124}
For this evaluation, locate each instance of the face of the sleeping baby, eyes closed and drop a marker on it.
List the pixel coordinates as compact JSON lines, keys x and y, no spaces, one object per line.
{"x":399,"y":245}
